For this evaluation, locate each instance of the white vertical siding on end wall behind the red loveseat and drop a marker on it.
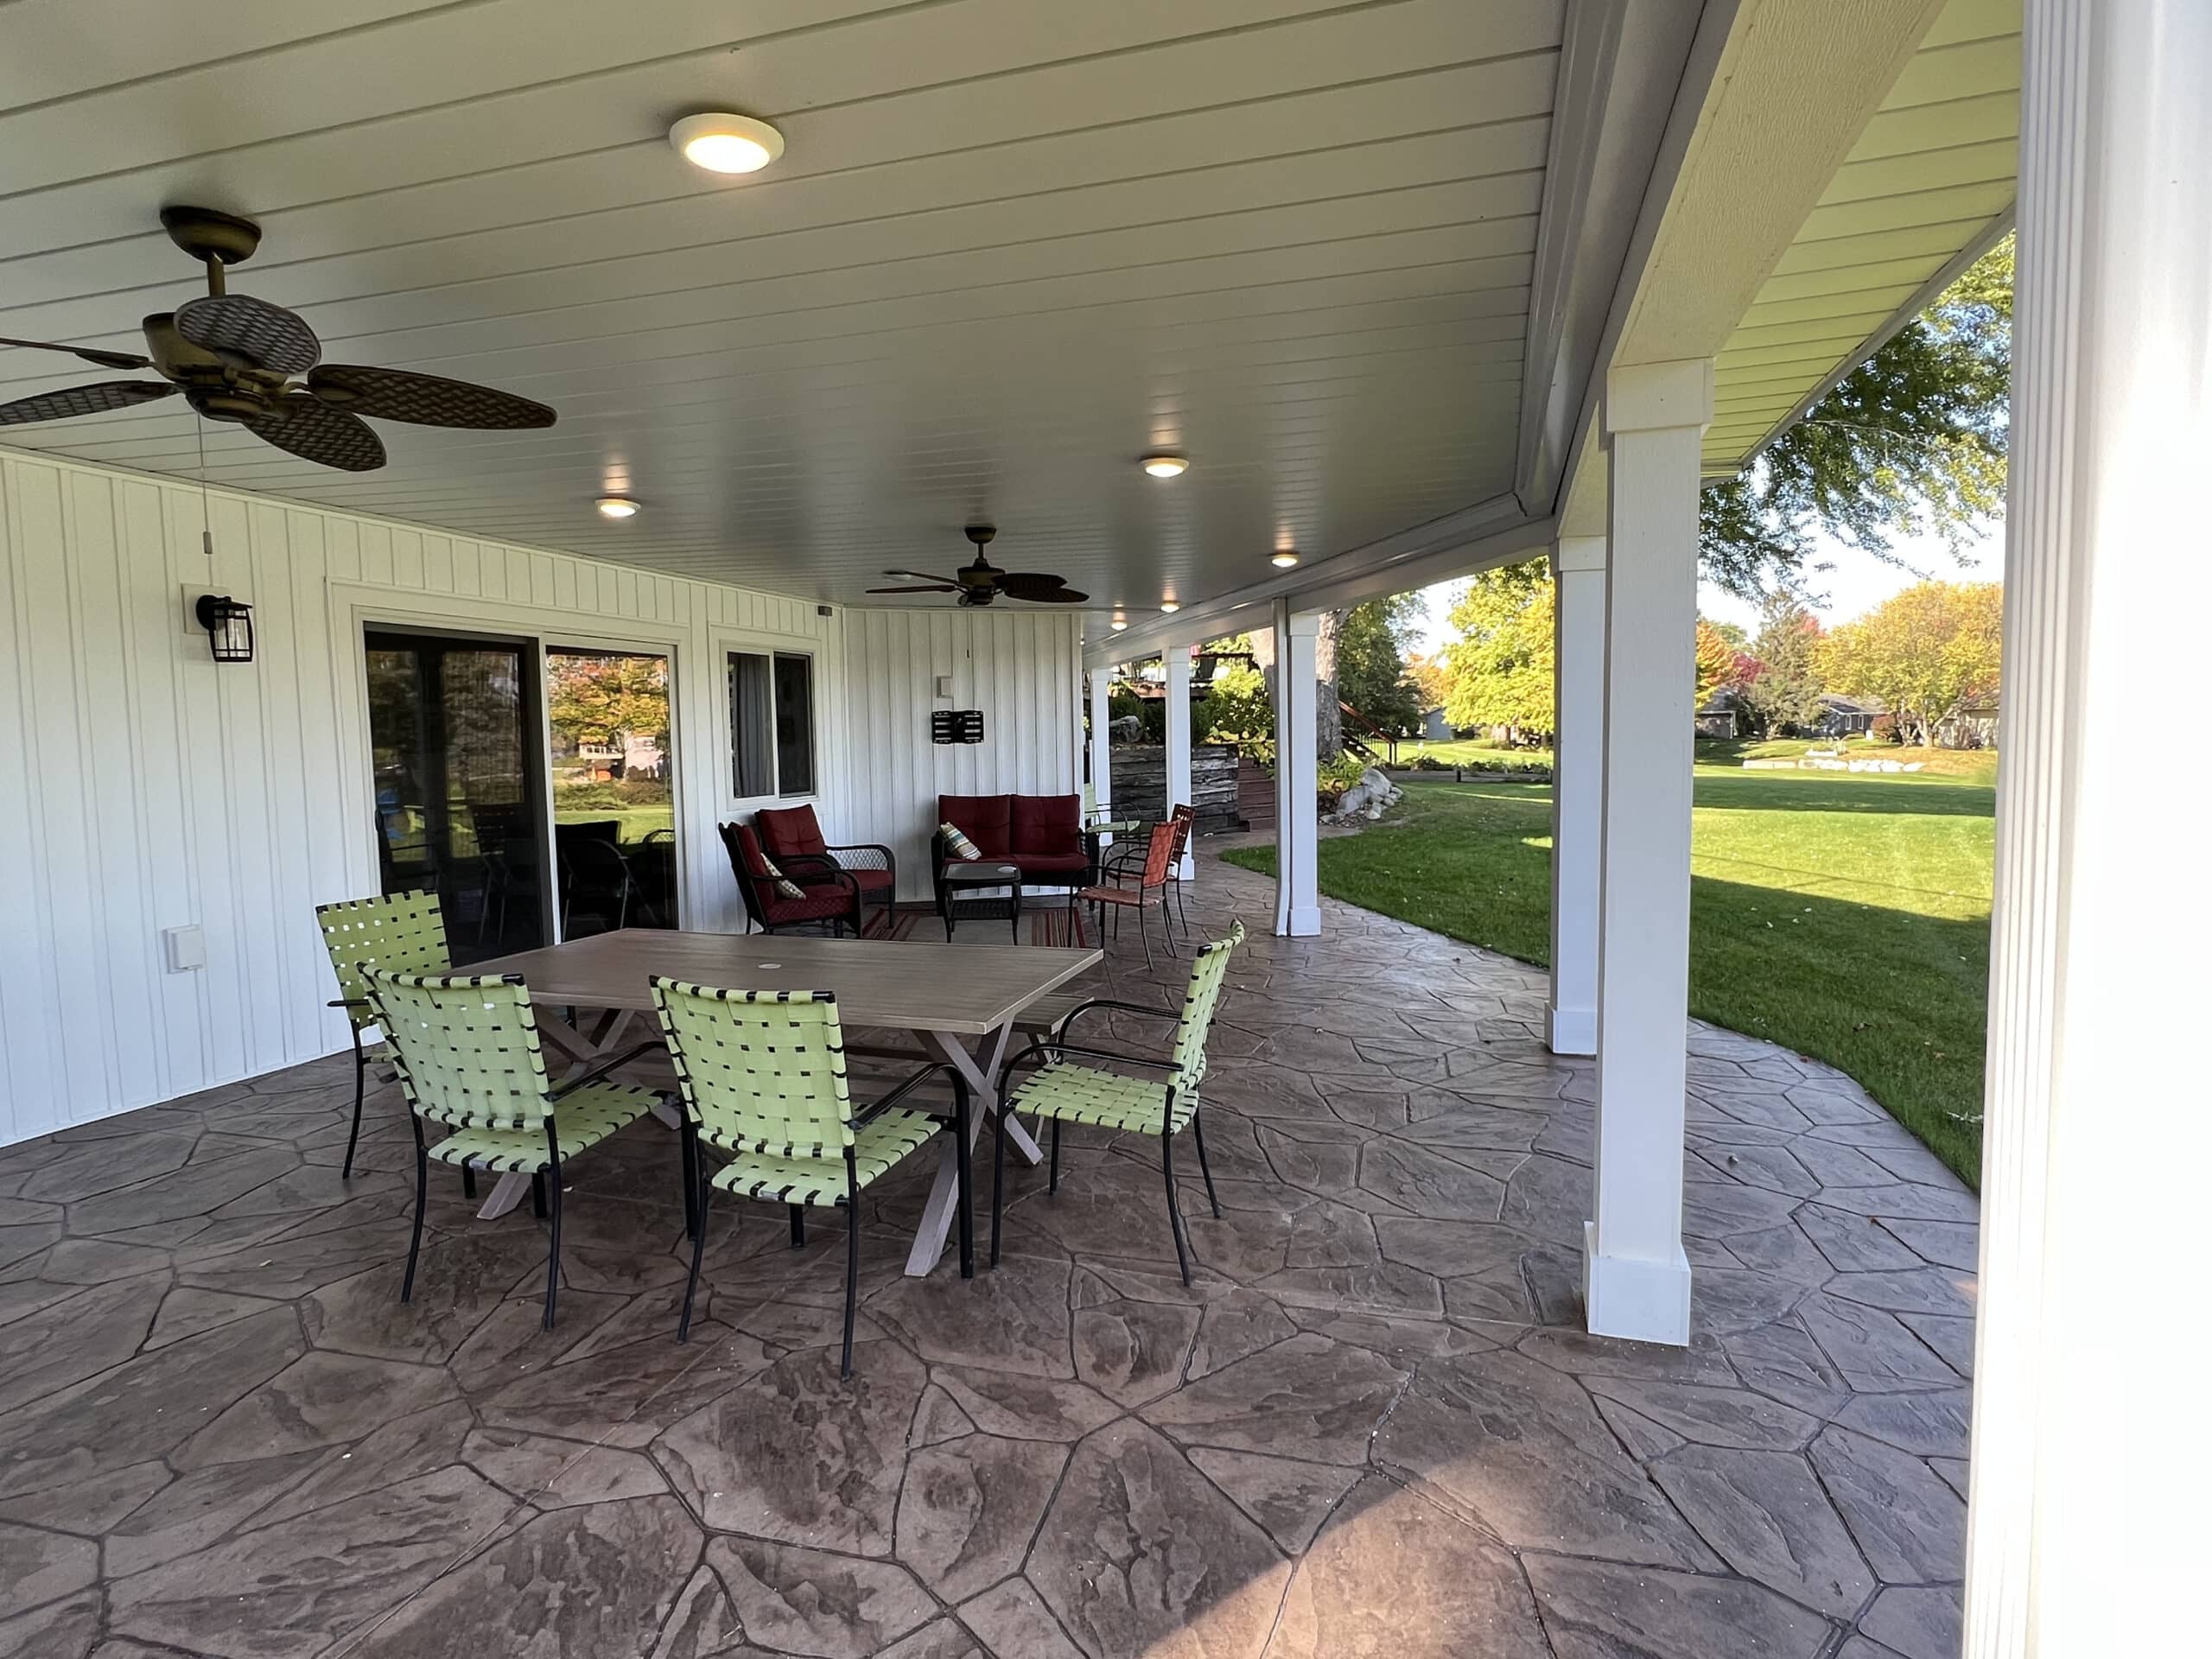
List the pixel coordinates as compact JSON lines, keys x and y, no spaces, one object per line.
{"x":1019,"y":667}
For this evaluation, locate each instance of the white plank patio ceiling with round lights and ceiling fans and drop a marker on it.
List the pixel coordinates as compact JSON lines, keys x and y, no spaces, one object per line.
{"x":1010,"y":249}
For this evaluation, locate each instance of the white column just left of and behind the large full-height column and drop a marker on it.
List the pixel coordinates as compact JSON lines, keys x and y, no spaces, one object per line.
{"x":1578,"y":740}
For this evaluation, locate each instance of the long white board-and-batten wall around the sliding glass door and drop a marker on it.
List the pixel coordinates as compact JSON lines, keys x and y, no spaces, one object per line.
{"x":143,"y":786}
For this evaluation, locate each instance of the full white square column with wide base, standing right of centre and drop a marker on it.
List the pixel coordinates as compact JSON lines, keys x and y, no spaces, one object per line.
{"x":1636,"y":1275}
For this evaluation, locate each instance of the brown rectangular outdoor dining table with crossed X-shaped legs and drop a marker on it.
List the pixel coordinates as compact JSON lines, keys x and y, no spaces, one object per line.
{"x":959,"y":1003}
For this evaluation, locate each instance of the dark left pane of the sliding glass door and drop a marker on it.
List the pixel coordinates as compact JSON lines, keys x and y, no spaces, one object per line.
{"x":457,"y":793}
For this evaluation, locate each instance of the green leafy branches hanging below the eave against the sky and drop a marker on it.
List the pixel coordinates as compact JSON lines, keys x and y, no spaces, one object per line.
{"x":1910,"y":444}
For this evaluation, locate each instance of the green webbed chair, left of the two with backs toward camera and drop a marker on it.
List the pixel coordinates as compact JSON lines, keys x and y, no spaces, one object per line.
{"x":470,"y":1058}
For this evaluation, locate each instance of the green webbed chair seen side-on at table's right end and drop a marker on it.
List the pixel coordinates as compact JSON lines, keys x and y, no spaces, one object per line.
{"x":1067,"y":1092}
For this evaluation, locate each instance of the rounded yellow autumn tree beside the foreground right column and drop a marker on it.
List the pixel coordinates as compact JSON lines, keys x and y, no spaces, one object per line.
{"x":1926,"y":654}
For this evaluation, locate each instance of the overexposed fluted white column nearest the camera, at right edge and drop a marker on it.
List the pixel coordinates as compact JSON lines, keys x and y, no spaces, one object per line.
{"x":2089,"y":1470}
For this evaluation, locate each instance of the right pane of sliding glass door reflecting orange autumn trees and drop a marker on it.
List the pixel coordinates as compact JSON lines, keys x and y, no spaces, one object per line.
{"x":614,"y":800}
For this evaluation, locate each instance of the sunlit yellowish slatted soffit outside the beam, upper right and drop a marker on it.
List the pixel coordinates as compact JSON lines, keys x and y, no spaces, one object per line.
{"x":1930,"y":182}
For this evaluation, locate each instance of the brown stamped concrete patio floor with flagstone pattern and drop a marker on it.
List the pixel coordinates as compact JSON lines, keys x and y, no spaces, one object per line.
{"x":1373,"y":1430}
